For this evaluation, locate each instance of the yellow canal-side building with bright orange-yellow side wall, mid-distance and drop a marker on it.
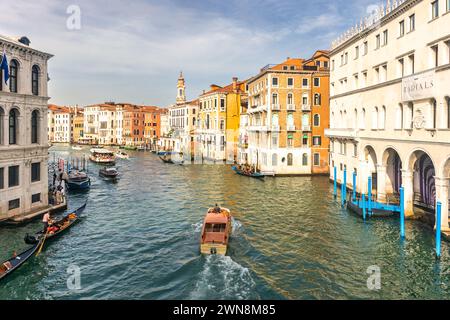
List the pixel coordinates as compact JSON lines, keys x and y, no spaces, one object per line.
{"x":218,"y":121}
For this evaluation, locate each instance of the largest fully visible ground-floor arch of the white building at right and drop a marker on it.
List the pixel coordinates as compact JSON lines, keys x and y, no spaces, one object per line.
{"x":424,"y":187}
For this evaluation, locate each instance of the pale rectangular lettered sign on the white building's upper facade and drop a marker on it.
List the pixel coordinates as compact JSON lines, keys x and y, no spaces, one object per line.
{"x":418,"y":87}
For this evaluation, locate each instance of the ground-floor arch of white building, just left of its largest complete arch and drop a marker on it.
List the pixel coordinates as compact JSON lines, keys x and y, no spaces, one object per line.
{"x":393,"y":164}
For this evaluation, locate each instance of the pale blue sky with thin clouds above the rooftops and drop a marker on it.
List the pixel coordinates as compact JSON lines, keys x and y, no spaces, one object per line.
{"x":133,"y":51}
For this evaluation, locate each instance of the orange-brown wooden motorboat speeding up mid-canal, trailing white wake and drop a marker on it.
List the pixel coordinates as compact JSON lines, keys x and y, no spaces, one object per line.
{"x":216,"y":231}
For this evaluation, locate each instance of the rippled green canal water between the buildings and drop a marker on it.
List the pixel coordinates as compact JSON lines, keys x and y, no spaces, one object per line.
{"x":139,"y":239}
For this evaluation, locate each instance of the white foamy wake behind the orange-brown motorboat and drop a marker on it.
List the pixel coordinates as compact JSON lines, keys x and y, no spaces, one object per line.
{"x":223,"y":279}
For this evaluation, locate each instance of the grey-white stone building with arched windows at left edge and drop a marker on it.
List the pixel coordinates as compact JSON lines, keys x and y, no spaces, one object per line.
{"x":23,"y":129}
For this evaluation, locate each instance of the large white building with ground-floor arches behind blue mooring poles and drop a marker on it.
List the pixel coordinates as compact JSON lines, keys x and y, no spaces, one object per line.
{"x":390,"y":109}
